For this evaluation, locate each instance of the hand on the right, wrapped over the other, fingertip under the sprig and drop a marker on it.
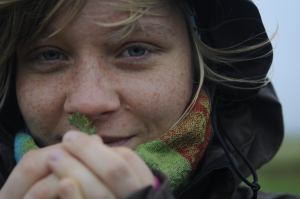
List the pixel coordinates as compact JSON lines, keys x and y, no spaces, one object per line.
{"x":98,"y":170}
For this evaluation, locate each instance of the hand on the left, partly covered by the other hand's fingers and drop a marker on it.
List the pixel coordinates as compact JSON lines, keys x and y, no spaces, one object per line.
{"x":32,"y":178}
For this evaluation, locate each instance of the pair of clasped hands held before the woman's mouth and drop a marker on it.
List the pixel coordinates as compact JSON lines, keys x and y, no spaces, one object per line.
{"x":33,"y":178}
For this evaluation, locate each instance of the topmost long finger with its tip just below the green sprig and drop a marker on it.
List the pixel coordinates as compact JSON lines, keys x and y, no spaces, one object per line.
{"x":113,"y":170}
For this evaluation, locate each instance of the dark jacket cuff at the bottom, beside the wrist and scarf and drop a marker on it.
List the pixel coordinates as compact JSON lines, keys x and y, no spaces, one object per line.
{"x":164,"y":192}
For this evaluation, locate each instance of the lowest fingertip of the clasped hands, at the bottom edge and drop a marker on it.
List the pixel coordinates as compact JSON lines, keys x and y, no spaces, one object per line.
{"x":69,"y":189}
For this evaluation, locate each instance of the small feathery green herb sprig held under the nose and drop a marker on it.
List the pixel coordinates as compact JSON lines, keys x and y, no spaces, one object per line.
{"x":82,"y":123}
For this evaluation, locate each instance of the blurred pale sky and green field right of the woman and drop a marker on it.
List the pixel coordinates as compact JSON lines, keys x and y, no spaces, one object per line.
{"x":282,"y":174}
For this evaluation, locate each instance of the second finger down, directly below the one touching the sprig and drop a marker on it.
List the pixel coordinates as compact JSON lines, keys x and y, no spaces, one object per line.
{"x":65,"y":166}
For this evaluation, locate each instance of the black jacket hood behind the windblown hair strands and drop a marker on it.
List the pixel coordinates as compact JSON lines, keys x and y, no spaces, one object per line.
{"x":228,"y":23}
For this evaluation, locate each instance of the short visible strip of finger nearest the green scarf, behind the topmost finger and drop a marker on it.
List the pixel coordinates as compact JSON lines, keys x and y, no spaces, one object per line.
{"x":141,"y":170}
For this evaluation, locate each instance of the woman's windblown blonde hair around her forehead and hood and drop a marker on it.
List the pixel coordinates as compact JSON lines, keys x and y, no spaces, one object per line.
{"x":22,"y":21}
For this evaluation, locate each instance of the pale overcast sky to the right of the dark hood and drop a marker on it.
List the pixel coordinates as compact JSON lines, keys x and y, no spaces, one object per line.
{"x":286,"y":56}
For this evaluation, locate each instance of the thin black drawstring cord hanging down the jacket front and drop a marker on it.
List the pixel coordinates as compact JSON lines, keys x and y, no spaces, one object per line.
{"x":255,"y":186}
